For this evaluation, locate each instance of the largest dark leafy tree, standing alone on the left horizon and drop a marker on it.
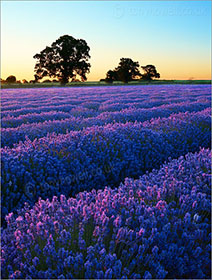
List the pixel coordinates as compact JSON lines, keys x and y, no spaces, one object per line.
{"x":66,"y":58}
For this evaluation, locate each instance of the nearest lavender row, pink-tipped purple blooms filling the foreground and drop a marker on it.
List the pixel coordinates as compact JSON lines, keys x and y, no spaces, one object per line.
{"x":155,"y":227}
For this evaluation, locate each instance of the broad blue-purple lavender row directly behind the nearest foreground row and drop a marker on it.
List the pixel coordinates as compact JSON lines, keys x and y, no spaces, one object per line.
{"x":96,"y":156}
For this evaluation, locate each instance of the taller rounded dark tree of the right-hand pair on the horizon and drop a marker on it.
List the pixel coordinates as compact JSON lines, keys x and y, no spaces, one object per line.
{"x":127,"y":70}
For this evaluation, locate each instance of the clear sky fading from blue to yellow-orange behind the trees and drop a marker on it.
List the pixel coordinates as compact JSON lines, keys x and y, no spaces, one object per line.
{"x":175,"y":36}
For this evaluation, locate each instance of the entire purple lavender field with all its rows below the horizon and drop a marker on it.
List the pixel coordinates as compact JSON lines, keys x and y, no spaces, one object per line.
{"x":106,"y":182}
